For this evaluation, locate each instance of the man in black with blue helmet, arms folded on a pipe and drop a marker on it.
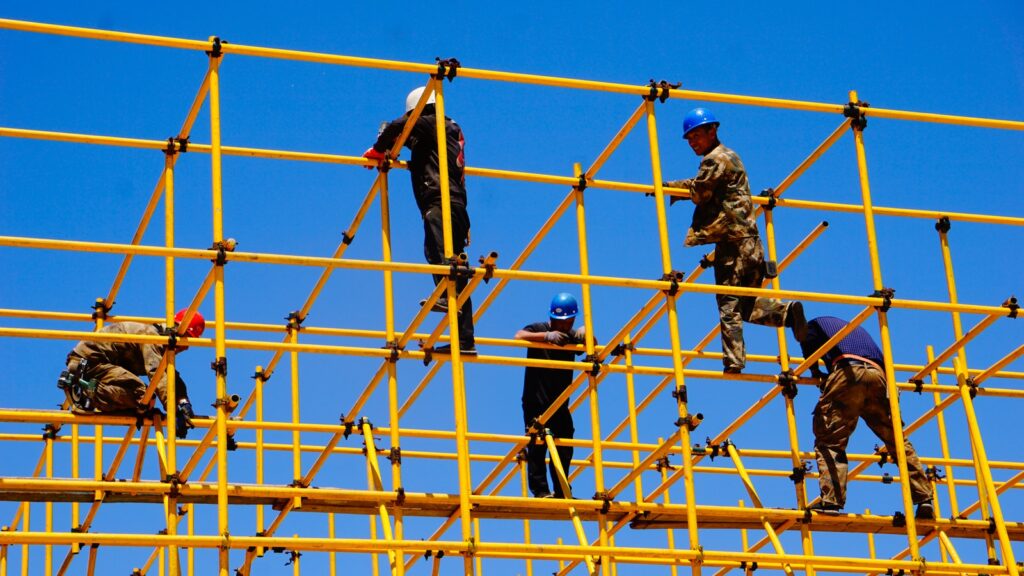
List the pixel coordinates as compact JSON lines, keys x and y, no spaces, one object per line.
{"x":542,"y":386}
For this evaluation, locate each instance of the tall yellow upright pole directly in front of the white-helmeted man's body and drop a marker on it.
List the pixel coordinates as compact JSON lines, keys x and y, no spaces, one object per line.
{"x":458,"y":383}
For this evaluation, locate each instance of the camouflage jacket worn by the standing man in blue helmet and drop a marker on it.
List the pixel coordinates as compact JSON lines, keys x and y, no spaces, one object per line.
{"x":722,"y":195}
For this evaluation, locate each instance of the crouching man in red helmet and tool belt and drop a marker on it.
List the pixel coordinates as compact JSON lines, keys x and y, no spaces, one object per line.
{"x":104,"y":378}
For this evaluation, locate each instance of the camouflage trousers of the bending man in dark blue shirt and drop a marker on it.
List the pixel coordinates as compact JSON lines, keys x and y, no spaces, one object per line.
{"x":851,"y":393}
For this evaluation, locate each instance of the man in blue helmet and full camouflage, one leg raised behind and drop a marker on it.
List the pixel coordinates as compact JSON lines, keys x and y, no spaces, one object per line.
{"x":724,"y":217}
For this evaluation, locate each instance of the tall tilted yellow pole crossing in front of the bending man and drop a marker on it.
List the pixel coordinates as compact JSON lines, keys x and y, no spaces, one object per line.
{"x":887,"y":351}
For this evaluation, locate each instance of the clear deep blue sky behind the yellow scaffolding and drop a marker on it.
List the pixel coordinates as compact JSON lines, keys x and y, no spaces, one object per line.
{"x":928,"y":57}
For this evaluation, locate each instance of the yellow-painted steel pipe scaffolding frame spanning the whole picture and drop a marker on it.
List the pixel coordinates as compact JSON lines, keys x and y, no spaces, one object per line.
{"x":470,"y":505}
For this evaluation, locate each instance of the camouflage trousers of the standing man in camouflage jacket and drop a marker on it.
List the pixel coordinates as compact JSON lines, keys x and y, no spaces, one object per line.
{"x":741,"y":263}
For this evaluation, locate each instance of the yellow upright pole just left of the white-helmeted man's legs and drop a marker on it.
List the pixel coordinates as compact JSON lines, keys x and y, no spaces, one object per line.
{"x":393,"y":367}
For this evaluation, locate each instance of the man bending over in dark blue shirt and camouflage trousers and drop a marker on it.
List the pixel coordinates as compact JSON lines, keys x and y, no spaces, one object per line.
{"x":855,"y":388}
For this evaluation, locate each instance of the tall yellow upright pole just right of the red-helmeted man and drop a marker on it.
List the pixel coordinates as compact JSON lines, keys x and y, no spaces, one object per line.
{"x":220,"y":346}
